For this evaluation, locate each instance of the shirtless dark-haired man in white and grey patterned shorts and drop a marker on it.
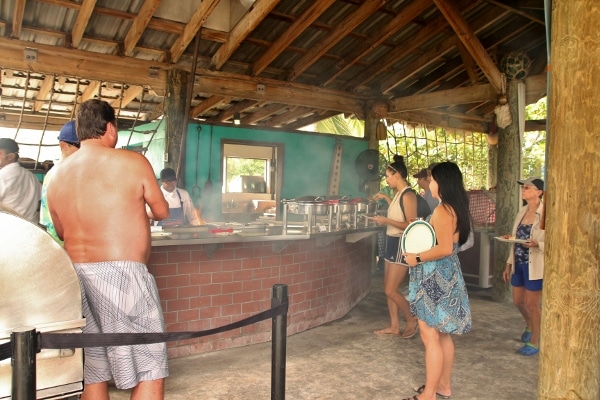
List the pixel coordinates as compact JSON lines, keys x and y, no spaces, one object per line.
{"x":97,"y":202}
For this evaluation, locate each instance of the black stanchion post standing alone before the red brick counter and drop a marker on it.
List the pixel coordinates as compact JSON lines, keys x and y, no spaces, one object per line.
{"x":278,"y":344}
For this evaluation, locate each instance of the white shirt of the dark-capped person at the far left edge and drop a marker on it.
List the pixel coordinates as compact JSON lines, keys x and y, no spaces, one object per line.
{"x":20,"y":190}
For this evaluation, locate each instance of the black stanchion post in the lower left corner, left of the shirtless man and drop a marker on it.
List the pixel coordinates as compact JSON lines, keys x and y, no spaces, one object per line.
{"x":24,"y":344}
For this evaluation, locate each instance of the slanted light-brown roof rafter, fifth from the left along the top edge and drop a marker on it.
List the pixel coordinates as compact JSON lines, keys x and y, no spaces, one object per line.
{"x":249,"y":21}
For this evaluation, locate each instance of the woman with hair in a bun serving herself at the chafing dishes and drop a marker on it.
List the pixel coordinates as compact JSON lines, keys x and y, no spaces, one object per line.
{"x":395,"y":270}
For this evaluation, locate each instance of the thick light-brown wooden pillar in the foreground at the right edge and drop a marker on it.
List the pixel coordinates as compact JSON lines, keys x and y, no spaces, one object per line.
{"x":570,"y":343}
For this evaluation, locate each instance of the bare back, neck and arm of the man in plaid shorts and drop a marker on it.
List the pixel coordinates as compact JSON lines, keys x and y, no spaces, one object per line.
{"x":97,"y":202}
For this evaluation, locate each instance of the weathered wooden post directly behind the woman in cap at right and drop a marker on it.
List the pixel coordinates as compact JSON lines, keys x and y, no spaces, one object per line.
{"x":507,"y":193}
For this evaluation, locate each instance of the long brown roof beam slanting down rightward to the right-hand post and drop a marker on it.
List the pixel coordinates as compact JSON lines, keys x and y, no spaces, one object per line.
{"x":469,"y":39}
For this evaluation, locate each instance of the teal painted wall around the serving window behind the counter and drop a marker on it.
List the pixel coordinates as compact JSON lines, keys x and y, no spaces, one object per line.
{"x":307,"y":157}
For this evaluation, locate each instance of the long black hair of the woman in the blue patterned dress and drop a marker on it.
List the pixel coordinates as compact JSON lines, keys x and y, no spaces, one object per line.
{"x":452,"y":193}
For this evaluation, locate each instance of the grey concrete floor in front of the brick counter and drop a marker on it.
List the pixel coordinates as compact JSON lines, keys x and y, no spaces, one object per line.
{"x":344,"y":360}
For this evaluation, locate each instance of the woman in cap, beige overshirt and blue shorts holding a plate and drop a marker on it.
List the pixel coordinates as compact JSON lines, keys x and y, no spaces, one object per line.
{"x":526,"y":263}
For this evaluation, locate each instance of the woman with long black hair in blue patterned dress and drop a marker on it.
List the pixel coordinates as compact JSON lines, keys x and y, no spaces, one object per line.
{"x":437,"y":292}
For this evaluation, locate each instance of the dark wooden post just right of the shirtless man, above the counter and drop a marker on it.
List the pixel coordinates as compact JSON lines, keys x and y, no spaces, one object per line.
{"x":176,"y":126}
